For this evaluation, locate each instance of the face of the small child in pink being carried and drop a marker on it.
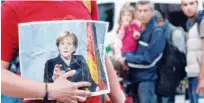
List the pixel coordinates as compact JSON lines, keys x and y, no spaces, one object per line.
{"x":126,"y":17}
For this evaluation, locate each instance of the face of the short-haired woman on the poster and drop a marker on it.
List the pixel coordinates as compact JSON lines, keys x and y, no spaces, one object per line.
{"x":66,"y":47}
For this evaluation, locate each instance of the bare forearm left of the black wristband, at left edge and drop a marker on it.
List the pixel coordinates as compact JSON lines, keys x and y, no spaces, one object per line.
{"x":13,"y":85}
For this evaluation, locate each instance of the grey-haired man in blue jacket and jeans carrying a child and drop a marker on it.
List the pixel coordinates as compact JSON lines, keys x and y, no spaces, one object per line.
{"x":141,"y":63}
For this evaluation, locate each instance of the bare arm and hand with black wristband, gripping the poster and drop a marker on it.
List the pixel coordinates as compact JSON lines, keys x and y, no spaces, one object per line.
{"x":61,"y":90}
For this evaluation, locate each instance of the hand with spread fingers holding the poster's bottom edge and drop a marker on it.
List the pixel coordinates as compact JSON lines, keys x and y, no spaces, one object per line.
{"x":65,"y":91}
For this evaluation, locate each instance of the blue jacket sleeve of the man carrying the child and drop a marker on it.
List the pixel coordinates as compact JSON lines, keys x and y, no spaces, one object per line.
{"x":154,"y":49}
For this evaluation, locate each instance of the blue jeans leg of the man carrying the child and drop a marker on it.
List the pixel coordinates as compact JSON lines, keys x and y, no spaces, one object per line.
{"x":146,"y":92}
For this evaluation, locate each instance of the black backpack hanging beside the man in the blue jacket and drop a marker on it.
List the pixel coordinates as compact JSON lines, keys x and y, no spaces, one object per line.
{"x":171,"y":70}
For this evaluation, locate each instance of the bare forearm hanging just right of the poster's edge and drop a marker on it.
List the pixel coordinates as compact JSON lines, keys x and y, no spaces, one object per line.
{"x":116,"y":93}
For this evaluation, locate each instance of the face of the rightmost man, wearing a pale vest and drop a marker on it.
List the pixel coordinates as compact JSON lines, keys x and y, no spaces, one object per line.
{"x":189,"y":7}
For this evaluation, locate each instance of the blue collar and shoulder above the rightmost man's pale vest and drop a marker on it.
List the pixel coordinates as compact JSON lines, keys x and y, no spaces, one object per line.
{"x":198,"y":17}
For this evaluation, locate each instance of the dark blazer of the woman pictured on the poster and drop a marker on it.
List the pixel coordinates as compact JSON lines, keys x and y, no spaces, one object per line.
{"x":77,"y":63}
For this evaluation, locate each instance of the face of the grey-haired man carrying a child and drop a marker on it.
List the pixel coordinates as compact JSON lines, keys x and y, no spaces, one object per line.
{"x":144,"y":13}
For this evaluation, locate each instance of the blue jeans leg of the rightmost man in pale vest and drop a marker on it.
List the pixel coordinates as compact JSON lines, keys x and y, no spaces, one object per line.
{"x":193,"y":82}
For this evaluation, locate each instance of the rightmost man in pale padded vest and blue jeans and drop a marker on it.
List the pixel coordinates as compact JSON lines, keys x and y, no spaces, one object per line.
{"x":190,"y":9}
